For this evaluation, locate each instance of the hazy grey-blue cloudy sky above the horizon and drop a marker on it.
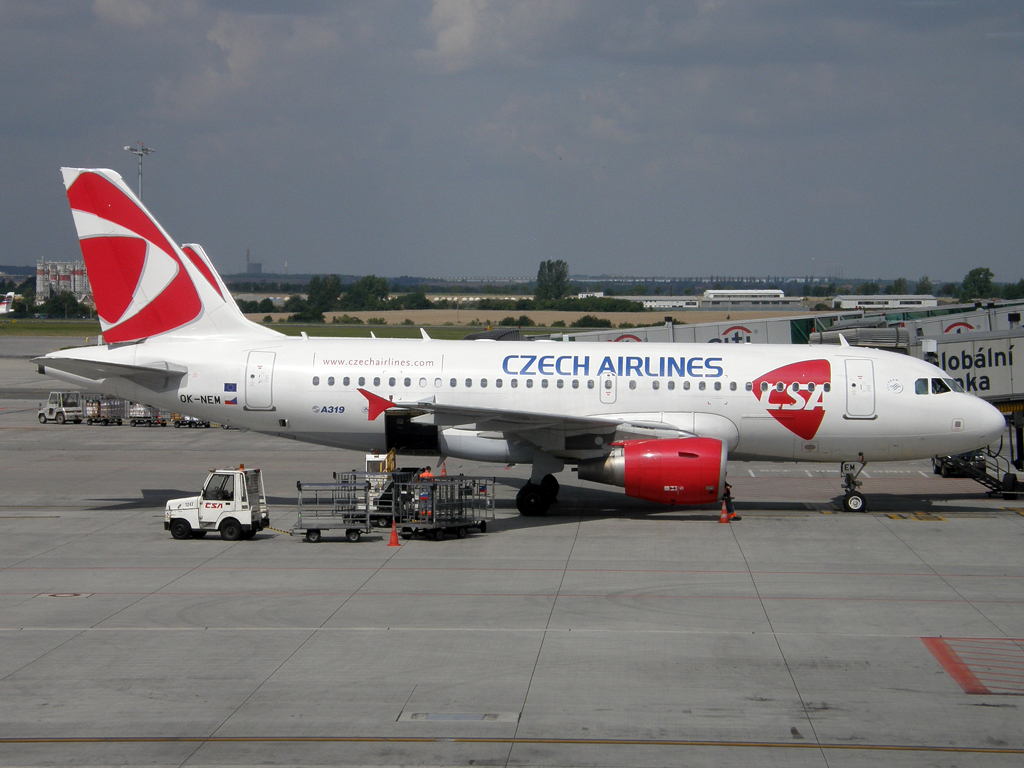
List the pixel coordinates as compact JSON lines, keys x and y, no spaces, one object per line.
{"x":454,"y":138}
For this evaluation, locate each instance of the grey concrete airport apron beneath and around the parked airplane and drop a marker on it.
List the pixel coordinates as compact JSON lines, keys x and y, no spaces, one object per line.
{"x":609,"y":633}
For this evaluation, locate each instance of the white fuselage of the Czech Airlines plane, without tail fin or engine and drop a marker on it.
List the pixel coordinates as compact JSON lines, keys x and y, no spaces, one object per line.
{"x":836,"y":404}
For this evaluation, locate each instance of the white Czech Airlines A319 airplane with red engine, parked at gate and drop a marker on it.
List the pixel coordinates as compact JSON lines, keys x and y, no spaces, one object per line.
{"x":662,"y":421}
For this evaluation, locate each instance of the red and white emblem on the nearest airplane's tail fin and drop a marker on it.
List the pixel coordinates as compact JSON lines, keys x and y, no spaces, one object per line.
{"x":140,"y":283}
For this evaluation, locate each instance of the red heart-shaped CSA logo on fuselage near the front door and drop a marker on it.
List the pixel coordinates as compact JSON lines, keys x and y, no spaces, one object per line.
{"x":794,"y":396}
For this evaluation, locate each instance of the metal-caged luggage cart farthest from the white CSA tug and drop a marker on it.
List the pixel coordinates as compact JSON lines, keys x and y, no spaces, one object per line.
{"x":445,"y":506}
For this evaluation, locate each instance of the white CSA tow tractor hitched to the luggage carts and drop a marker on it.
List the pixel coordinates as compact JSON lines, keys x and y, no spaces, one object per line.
{"x":233,"y":502}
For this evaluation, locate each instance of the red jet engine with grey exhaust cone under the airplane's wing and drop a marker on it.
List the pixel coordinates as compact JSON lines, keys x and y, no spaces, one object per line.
{"x":686,"y":471}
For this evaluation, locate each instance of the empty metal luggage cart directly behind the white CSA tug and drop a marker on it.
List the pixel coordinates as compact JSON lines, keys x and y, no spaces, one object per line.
{"x":344,"y":504}
